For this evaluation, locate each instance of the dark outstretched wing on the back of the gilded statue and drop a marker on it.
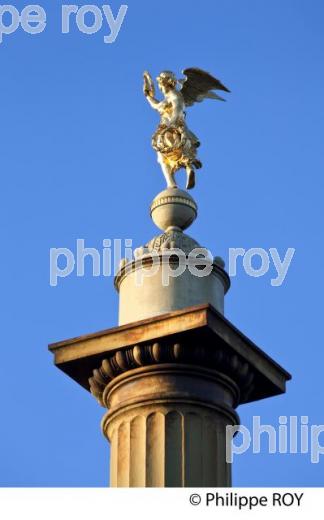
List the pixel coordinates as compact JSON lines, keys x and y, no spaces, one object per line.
{"x":199,"y":85}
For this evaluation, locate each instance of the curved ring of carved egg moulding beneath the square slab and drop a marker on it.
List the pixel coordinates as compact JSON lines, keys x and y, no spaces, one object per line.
{"x":166,"y":355}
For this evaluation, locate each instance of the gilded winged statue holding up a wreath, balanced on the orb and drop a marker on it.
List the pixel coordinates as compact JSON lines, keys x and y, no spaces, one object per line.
{"x":175,"y":144}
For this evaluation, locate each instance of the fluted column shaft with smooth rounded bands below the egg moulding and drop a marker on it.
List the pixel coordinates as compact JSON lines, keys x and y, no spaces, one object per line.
{"x":167,"y":426}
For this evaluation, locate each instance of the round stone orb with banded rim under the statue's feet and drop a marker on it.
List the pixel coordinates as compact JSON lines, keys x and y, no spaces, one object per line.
{"x":173,"y":208}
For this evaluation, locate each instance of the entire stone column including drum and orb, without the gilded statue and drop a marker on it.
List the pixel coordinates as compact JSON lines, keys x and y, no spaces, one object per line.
{"x":172,"y":373}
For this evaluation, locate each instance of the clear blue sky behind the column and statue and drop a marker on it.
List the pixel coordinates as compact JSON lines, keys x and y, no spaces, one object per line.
{"x":76,"y":162}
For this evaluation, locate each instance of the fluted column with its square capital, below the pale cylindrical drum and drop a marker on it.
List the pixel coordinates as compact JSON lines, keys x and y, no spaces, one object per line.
{"x":171,"y":385}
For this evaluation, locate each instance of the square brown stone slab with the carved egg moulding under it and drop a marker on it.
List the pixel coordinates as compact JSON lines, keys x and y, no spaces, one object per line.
{"x":202,"y":336}
